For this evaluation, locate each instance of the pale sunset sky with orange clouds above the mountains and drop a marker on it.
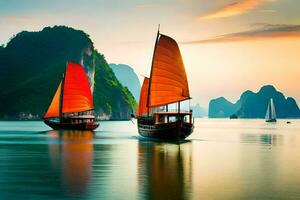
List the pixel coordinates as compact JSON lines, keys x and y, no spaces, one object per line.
{"x":228,"y":46}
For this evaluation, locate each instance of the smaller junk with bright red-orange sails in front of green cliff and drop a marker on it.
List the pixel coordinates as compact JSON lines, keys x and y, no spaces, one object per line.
{"x":72,"y":104}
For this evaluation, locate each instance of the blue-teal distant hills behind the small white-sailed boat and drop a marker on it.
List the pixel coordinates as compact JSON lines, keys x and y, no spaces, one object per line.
{"x":254,"y":105}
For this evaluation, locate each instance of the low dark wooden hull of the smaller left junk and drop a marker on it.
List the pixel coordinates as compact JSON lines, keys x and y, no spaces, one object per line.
{"x":69,"y":126}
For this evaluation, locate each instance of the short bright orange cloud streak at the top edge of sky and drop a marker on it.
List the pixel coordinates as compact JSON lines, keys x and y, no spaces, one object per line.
{"x":233,"y":9}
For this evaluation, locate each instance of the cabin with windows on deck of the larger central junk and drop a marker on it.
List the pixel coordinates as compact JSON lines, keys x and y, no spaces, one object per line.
{"x":168,"y":117}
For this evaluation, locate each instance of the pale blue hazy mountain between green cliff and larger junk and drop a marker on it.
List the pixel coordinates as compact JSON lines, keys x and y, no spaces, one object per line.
{"x":127,"y":77}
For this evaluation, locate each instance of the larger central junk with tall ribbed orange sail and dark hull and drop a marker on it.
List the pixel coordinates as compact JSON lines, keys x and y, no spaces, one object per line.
{"x":166,"y":85}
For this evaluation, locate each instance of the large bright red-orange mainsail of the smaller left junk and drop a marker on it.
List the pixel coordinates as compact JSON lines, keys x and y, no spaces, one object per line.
{"x":77,"y":95}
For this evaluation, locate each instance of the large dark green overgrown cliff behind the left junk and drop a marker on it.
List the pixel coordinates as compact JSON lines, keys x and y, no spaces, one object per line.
{"x":31,"y":66}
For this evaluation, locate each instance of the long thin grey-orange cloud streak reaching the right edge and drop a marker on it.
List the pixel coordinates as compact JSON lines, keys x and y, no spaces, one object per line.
{"x":264,"y":31}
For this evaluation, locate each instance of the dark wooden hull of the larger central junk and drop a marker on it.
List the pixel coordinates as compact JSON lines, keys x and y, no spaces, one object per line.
{"x":169,"y":131}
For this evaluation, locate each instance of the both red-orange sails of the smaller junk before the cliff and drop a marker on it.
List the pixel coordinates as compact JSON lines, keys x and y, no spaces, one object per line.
{"x":77,"y":96}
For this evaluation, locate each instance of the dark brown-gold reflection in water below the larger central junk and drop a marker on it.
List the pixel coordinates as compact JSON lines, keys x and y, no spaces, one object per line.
{"x":164,"y":170}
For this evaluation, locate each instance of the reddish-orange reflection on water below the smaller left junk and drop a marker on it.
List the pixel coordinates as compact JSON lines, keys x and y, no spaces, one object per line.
{"x":72,"y":153}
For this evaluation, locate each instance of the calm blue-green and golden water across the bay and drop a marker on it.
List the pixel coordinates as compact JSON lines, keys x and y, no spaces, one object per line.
{"x":223,"y":159}
